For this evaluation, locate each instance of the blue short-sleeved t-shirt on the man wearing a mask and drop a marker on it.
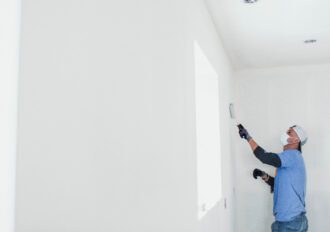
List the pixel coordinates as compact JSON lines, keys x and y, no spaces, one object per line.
{"x":290,"y":186}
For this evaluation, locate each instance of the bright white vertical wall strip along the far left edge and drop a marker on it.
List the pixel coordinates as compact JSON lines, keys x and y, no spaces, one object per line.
{"x":9,"y":41}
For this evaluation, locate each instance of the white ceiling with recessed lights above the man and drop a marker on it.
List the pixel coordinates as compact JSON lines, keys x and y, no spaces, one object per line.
{"x":271,"y":33}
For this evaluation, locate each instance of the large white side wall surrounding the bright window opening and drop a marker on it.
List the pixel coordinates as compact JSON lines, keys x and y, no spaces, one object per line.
{"x":107,"y":119}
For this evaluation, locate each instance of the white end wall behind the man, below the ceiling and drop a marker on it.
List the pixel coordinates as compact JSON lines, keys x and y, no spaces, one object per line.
{"x":267,"y":102}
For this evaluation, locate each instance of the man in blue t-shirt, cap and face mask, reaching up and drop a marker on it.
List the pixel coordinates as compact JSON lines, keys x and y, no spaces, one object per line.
{"x":289,"y":184}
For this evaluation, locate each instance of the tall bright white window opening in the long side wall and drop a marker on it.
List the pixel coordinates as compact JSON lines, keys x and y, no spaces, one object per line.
{"x":207,"y":133}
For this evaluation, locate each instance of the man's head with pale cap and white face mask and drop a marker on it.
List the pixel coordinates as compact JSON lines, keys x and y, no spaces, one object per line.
{"x":294,"y":138}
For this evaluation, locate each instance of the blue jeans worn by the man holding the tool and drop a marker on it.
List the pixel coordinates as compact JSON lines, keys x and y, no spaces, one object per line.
{"x":298,"y":224}
